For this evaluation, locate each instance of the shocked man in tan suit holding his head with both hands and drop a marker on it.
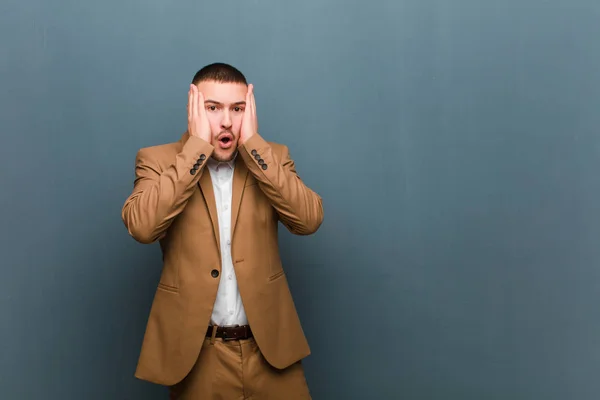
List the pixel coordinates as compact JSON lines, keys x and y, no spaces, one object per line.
{"x":223,"y":324}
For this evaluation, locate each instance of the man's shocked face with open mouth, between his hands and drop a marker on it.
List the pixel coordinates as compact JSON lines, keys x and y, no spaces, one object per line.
{"x":225,"y":104}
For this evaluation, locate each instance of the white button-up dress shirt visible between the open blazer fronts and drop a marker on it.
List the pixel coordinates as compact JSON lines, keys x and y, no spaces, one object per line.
{"x":228,"y":308}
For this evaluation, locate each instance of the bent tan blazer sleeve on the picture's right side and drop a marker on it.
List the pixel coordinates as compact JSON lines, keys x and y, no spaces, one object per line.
{"x":300,"y":209}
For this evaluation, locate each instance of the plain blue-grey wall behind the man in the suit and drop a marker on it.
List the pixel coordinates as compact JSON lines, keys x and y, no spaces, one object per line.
{"x":455,"y":145}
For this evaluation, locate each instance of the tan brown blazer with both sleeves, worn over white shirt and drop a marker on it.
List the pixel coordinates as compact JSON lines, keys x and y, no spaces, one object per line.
{"x":173,"y":202}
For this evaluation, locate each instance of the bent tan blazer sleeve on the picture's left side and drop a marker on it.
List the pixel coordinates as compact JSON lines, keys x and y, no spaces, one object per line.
{"x":159,"y":195}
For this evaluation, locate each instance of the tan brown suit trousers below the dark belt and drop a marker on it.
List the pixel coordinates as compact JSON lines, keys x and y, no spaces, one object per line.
{"x":236,"y":370}
